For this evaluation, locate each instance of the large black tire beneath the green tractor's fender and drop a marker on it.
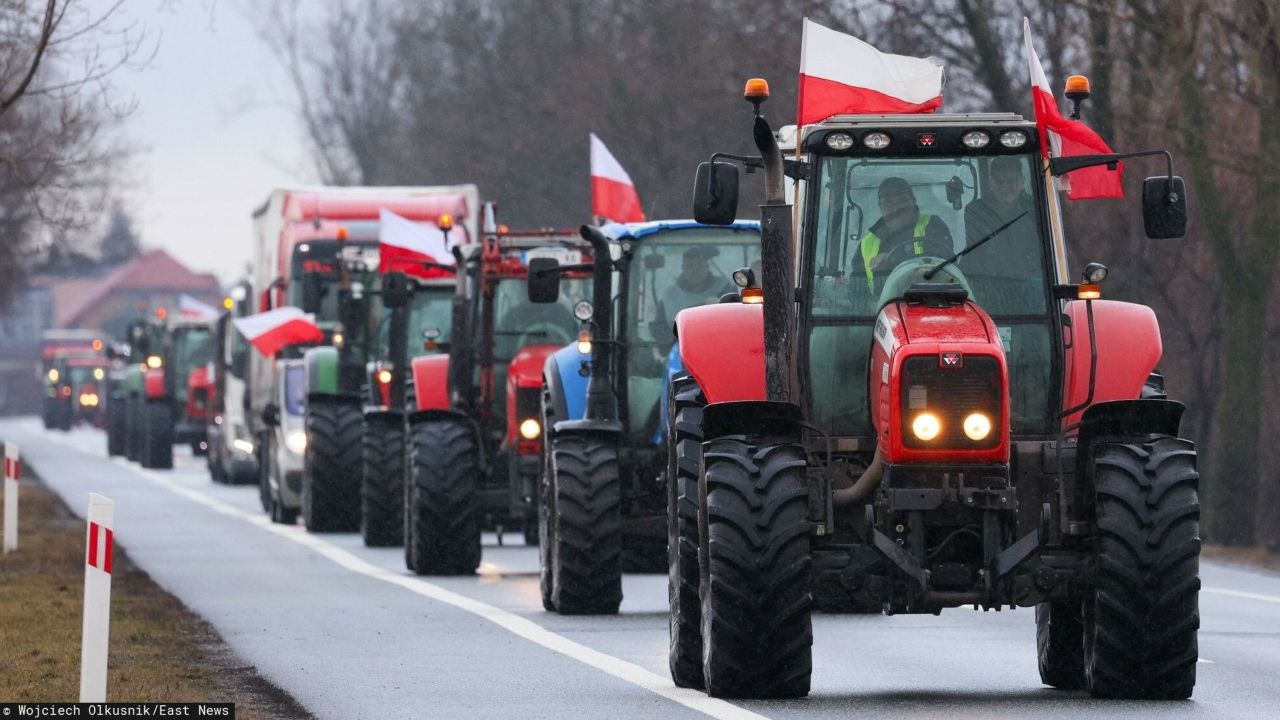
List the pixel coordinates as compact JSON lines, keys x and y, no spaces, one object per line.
{"x":331,"y":467}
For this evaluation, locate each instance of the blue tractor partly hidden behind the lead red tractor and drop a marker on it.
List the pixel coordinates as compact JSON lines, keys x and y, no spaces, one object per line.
{"x":604,"y":491}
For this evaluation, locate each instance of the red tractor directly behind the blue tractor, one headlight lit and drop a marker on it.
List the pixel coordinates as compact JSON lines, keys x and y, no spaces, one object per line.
{"x":476,"y":431}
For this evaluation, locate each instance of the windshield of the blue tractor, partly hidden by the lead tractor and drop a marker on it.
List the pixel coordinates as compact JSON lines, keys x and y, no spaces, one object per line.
{"x":673,"y":271}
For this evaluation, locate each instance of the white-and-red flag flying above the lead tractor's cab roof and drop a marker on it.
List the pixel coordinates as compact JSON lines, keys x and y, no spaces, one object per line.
{"x":842,"y":75}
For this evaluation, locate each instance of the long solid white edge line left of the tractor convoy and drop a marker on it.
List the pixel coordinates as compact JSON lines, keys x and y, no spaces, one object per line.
{"x":510,"y":622}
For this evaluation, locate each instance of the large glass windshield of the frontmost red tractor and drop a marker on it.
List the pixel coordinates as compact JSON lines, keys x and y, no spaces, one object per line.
{"x":874,"y":215}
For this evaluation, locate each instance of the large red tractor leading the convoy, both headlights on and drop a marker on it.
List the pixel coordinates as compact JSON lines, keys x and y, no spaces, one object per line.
{"x":926,"y":413}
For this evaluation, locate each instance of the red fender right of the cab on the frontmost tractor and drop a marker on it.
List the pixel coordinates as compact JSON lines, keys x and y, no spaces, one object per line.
{"x":1130,"y":348}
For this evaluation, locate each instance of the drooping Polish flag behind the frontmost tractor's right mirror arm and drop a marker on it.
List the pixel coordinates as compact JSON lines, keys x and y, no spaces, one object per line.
{"x":1068,"y":138}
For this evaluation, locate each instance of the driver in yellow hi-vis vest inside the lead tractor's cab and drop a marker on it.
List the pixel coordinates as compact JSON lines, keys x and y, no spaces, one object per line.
{"x":903,"y":233}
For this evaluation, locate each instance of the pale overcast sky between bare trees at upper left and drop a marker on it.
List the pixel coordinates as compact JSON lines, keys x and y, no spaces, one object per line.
{"x":214,"y":127}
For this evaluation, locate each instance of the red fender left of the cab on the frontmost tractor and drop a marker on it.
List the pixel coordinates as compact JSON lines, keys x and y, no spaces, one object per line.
{"x":723,"y":347}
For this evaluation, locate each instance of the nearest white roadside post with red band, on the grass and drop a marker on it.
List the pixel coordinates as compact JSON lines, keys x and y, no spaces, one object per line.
{"x":98,"y":598}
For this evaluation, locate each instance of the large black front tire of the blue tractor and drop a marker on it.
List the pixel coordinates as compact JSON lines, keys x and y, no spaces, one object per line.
{"x":587,"y":526}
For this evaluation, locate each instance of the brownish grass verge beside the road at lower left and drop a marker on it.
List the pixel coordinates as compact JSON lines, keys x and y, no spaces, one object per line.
{"x":159,"y":650}
